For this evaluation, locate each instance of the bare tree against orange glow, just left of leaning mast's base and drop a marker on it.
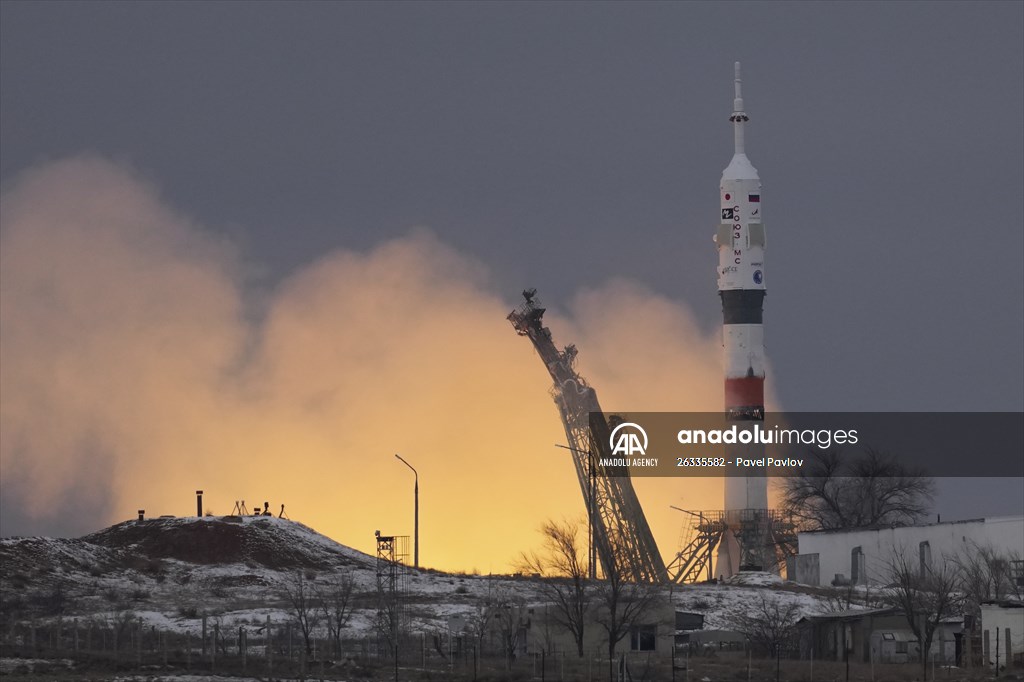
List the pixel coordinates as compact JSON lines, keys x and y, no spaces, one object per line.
{"x":565,"y":569}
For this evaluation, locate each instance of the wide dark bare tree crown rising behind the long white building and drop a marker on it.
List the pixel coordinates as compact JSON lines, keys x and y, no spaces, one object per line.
{"x":842,"y":491}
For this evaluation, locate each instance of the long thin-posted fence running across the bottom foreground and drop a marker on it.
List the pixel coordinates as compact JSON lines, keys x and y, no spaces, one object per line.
{"x":279,"y":651}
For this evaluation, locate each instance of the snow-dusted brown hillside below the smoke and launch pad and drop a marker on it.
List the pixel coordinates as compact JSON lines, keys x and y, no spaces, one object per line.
{"x":168,"y":572}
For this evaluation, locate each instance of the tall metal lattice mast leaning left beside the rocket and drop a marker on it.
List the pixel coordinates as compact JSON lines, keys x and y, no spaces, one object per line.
{"x":622,"y":536}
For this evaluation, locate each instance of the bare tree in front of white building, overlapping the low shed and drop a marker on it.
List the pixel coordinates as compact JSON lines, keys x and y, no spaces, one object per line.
{"x":926,"y":593}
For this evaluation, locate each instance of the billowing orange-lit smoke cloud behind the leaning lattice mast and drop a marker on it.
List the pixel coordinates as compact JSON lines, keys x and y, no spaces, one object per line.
{"x":135,"y":371}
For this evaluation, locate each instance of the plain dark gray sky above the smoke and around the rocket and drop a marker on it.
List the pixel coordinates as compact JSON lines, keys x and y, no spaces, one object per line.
{"x":566,"y":145}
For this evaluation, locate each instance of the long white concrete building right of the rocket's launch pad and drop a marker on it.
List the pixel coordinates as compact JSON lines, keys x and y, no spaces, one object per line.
{"x":863,"y":557}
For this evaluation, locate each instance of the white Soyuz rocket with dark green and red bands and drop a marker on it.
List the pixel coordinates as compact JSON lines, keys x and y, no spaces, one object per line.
{"x":741,"y":240}
